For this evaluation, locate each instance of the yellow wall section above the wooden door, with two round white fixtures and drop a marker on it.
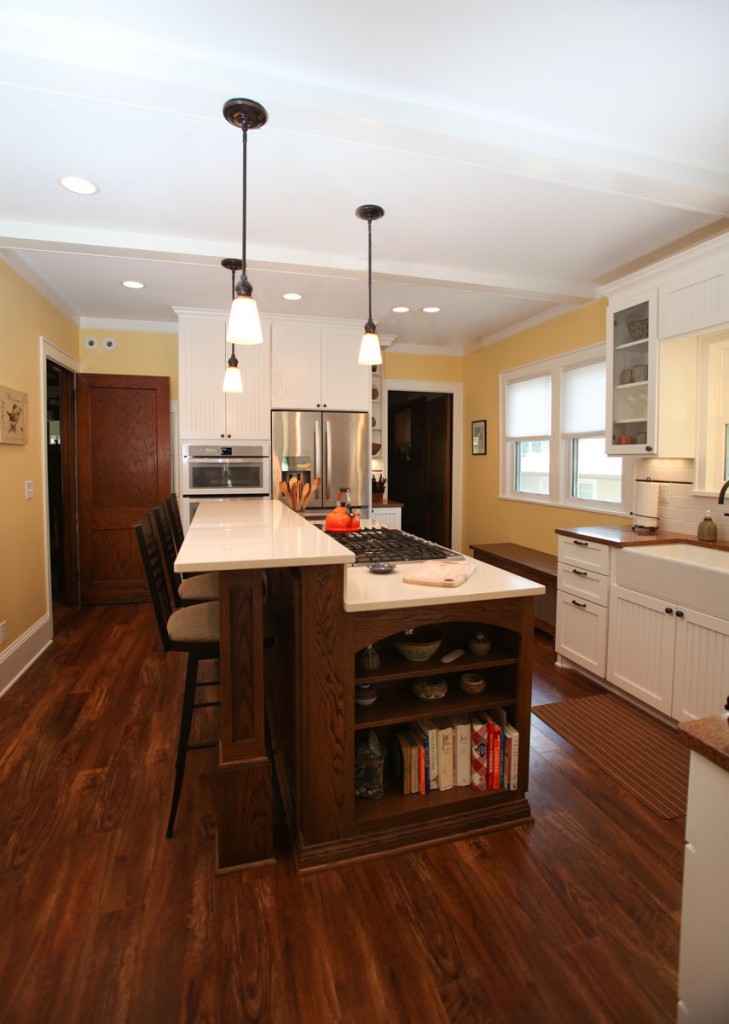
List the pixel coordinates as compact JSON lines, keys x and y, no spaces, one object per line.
{"x":151,"y":354}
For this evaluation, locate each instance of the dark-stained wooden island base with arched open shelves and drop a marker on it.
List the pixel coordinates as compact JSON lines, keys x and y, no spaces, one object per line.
{"x":311,"y":679}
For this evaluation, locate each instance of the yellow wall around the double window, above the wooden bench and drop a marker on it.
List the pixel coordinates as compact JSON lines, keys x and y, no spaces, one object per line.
{"x":488,"y":519}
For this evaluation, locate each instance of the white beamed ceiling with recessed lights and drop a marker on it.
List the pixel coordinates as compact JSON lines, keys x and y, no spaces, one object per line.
{"x":523,"y":152}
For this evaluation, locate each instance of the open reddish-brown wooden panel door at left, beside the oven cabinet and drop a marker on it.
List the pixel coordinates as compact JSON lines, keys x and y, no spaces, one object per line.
{"x":123,"y":472}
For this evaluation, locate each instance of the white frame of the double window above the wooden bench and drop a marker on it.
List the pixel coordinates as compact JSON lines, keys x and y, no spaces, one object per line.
{"x":561,"y":470}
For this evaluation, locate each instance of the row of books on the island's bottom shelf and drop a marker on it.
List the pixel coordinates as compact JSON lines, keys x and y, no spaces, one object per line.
{"x":481,"y":750}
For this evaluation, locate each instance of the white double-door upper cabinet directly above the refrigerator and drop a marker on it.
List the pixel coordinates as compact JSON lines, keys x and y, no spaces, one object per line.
{"x":316,"y":367}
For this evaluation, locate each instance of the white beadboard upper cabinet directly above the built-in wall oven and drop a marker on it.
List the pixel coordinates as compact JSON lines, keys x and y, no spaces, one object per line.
{"x":206,"y":412}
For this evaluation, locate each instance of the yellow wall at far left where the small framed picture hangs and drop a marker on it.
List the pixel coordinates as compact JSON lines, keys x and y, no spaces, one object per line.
{"x":26,"y":317}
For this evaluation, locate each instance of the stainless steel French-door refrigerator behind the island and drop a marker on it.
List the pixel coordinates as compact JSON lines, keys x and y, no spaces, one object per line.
{"x":334,"y":447}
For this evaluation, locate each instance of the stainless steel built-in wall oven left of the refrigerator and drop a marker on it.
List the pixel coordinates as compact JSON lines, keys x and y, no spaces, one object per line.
{"x":215,"y":473}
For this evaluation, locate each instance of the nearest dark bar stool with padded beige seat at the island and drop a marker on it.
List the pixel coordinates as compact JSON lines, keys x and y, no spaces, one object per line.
{"x":194,"y":631}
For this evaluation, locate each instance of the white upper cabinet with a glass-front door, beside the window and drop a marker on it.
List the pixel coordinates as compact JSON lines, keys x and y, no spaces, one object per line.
{"x":632,"y":372}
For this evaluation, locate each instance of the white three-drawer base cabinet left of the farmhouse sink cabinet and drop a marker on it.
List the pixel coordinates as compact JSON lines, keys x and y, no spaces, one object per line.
{"x":583,"y":579}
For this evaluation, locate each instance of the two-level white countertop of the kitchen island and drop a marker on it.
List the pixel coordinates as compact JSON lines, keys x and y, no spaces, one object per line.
{"x":266,"y":534}
